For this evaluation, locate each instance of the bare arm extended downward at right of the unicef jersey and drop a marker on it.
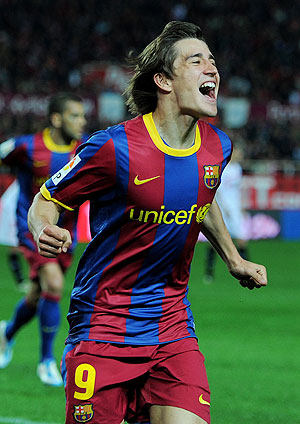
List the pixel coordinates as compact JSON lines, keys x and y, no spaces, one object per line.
{"x":248,"y":273}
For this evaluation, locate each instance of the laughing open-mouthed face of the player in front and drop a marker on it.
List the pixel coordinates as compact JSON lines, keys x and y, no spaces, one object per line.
{"x":196,"y":80}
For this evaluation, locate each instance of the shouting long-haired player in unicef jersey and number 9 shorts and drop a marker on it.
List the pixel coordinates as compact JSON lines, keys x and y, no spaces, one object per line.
{"x":132,"y":352}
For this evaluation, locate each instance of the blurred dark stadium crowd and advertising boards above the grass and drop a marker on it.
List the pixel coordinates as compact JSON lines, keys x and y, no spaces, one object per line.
{"x":47,"y":46}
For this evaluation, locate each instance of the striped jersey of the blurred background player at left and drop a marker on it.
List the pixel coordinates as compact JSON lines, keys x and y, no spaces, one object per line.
{"x":36,"y":157}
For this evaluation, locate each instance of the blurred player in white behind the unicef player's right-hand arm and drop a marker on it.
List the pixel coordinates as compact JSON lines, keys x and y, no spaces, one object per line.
{"x":229,"y":198}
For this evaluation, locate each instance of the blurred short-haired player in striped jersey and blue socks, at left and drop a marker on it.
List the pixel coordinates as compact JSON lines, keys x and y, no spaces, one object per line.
{"x":37,"y":157}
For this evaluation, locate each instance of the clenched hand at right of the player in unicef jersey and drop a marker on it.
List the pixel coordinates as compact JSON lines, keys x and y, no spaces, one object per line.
{"x":249,"y":274}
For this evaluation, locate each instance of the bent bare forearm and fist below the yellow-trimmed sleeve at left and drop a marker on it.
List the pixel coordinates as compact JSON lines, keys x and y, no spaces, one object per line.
{"x":43,"y":215}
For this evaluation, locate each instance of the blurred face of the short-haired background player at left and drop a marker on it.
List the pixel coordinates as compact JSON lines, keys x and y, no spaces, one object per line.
{"x":73,"y":120}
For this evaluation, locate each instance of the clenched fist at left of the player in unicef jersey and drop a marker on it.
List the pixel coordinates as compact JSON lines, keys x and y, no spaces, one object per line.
{"x":53,"y":240}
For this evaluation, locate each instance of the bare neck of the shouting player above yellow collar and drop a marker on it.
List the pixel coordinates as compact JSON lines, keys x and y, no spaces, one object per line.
{"x":178,"y":132}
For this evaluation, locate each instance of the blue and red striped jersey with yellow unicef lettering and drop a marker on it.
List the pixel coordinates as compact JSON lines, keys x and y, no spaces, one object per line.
{"x":147,"y":204}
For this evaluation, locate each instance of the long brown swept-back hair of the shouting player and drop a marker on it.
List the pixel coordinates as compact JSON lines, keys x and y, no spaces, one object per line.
{"x":157,"y":57}
